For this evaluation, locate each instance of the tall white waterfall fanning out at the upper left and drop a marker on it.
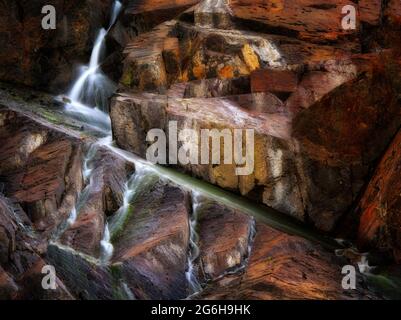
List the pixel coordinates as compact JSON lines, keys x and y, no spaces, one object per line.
{"x":88,"y":97}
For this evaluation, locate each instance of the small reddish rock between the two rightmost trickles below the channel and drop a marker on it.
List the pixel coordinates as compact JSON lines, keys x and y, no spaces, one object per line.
{"x":225,"y":239}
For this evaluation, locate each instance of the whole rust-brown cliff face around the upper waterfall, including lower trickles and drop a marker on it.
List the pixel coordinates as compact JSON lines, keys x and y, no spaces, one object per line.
{"x":325,"y":106}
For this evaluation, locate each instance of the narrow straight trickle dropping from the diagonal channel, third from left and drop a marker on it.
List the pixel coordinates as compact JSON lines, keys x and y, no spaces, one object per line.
{"x":193,"y":282}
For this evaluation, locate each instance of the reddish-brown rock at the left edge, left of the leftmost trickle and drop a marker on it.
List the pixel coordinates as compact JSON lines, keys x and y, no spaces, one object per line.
{"x":48,"y":177}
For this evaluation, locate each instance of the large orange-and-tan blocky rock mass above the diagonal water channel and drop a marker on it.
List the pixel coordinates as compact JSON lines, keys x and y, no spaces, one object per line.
{"x":294,"y":83}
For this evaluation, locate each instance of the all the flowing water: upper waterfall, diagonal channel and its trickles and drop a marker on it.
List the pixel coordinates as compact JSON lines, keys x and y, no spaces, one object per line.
{"x":88,"y":100}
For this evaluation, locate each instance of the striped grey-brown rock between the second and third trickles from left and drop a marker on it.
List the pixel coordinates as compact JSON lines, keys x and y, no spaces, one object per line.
{"x":152,"y":247}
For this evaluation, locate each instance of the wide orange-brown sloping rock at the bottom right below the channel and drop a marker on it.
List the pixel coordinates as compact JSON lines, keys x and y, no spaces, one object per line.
{"x":287,"y":267}
